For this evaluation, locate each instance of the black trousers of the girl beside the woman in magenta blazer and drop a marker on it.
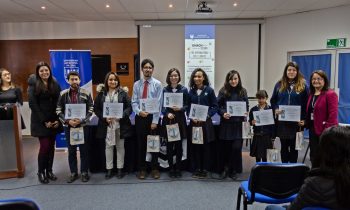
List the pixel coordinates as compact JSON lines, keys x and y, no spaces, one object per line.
{"x":288,"y":152}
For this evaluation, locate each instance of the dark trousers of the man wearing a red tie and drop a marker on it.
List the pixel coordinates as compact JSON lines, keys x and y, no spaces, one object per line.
{"x":143,"y":128}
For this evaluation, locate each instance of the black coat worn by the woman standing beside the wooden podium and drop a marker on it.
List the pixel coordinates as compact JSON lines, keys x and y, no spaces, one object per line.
{"x":43,"y":108}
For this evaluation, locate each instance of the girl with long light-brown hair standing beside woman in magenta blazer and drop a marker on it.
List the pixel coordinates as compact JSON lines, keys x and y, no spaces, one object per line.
{"x":291,"y":89}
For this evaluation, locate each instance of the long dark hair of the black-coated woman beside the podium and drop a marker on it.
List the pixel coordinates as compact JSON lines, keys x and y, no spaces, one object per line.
{"x":40,"y":87}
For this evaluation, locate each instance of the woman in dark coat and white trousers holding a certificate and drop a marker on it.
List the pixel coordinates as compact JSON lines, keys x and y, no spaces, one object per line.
{"x":112,"y":129}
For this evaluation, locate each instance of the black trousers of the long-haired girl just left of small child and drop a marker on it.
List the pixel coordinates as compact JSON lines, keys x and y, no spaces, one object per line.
{"x":230,"y":156}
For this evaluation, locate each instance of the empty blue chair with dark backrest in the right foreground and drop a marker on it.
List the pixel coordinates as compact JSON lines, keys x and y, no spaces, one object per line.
{"x":272,"y":183}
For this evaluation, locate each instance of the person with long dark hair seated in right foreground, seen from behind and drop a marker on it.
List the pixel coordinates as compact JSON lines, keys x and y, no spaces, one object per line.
{"x":328,"y":183}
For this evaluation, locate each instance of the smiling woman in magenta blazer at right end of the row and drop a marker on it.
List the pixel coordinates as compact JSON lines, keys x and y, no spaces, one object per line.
{"x":322,"y":109}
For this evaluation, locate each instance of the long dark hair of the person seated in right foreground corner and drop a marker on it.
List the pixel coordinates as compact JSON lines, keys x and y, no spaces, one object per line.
{"x":334,"y":157}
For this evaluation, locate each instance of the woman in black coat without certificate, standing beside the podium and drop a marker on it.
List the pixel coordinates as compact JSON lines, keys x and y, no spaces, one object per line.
{"x":43,"y":93}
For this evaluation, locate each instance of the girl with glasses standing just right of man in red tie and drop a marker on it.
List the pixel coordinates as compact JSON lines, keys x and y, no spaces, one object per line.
{"x":175,"y":115}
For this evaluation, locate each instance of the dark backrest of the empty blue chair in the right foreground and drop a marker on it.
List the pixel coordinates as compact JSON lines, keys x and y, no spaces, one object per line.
{"x":278,"y":181}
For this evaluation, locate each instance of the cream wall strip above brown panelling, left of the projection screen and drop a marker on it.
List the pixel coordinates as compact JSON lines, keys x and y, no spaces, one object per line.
{"x":68,"y":30}
